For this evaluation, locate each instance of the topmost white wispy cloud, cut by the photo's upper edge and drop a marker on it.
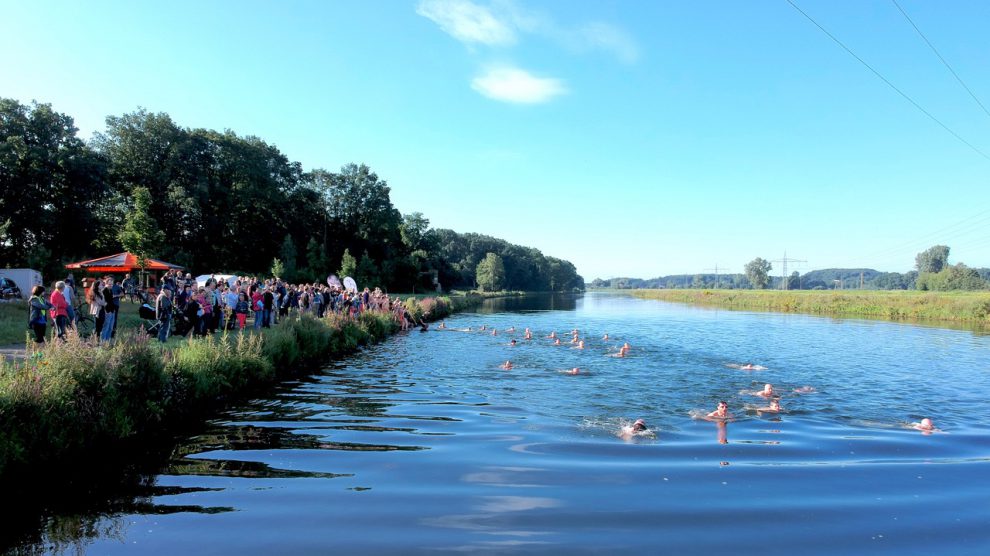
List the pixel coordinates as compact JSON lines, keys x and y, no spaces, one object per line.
{"x":468,"y":22}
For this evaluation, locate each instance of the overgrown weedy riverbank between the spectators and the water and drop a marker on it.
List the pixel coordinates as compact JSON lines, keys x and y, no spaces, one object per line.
{"x":75,"y":399}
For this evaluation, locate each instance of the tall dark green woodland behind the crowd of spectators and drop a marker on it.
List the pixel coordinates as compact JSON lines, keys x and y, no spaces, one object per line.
{"x":219,"y":202}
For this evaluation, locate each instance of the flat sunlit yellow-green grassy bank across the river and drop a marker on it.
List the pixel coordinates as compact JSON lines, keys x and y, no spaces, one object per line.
{"x":956,"y":307}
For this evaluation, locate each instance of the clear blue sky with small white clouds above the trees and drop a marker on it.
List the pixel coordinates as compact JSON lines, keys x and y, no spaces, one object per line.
{"x":631,"y":138}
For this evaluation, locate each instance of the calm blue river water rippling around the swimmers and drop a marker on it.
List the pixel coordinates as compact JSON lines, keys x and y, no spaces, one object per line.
{"x":424,"y":445}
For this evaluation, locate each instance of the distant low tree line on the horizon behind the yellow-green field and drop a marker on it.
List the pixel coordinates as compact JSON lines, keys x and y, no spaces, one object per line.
{"x":932,"y":273}
